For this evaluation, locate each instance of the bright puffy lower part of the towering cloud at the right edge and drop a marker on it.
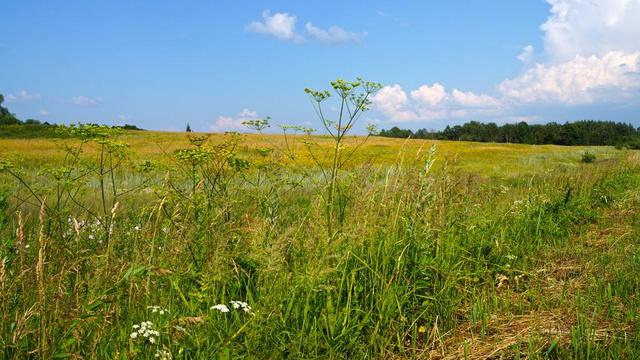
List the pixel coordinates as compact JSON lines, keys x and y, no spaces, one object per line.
{"x":583,"y":80}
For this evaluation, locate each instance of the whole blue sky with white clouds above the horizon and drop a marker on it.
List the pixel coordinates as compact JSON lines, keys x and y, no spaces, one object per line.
{"x":161,"y":64}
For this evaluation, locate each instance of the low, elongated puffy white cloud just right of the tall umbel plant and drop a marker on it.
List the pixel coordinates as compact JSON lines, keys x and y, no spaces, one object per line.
{"x":433,"y":103}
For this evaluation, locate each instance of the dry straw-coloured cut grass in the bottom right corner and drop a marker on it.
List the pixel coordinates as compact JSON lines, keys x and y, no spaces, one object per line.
{"x":563,"y":277}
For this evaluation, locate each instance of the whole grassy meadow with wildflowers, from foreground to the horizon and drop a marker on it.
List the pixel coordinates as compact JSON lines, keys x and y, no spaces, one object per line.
{"x":250,"y":246}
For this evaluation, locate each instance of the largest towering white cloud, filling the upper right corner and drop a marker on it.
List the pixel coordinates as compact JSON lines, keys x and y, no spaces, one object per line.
{"x":592,"y":55}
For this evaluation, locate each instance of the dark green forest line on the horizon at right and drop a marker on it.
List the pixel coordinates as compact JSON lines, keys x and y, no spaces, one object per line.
{"x":585,"y":132}
